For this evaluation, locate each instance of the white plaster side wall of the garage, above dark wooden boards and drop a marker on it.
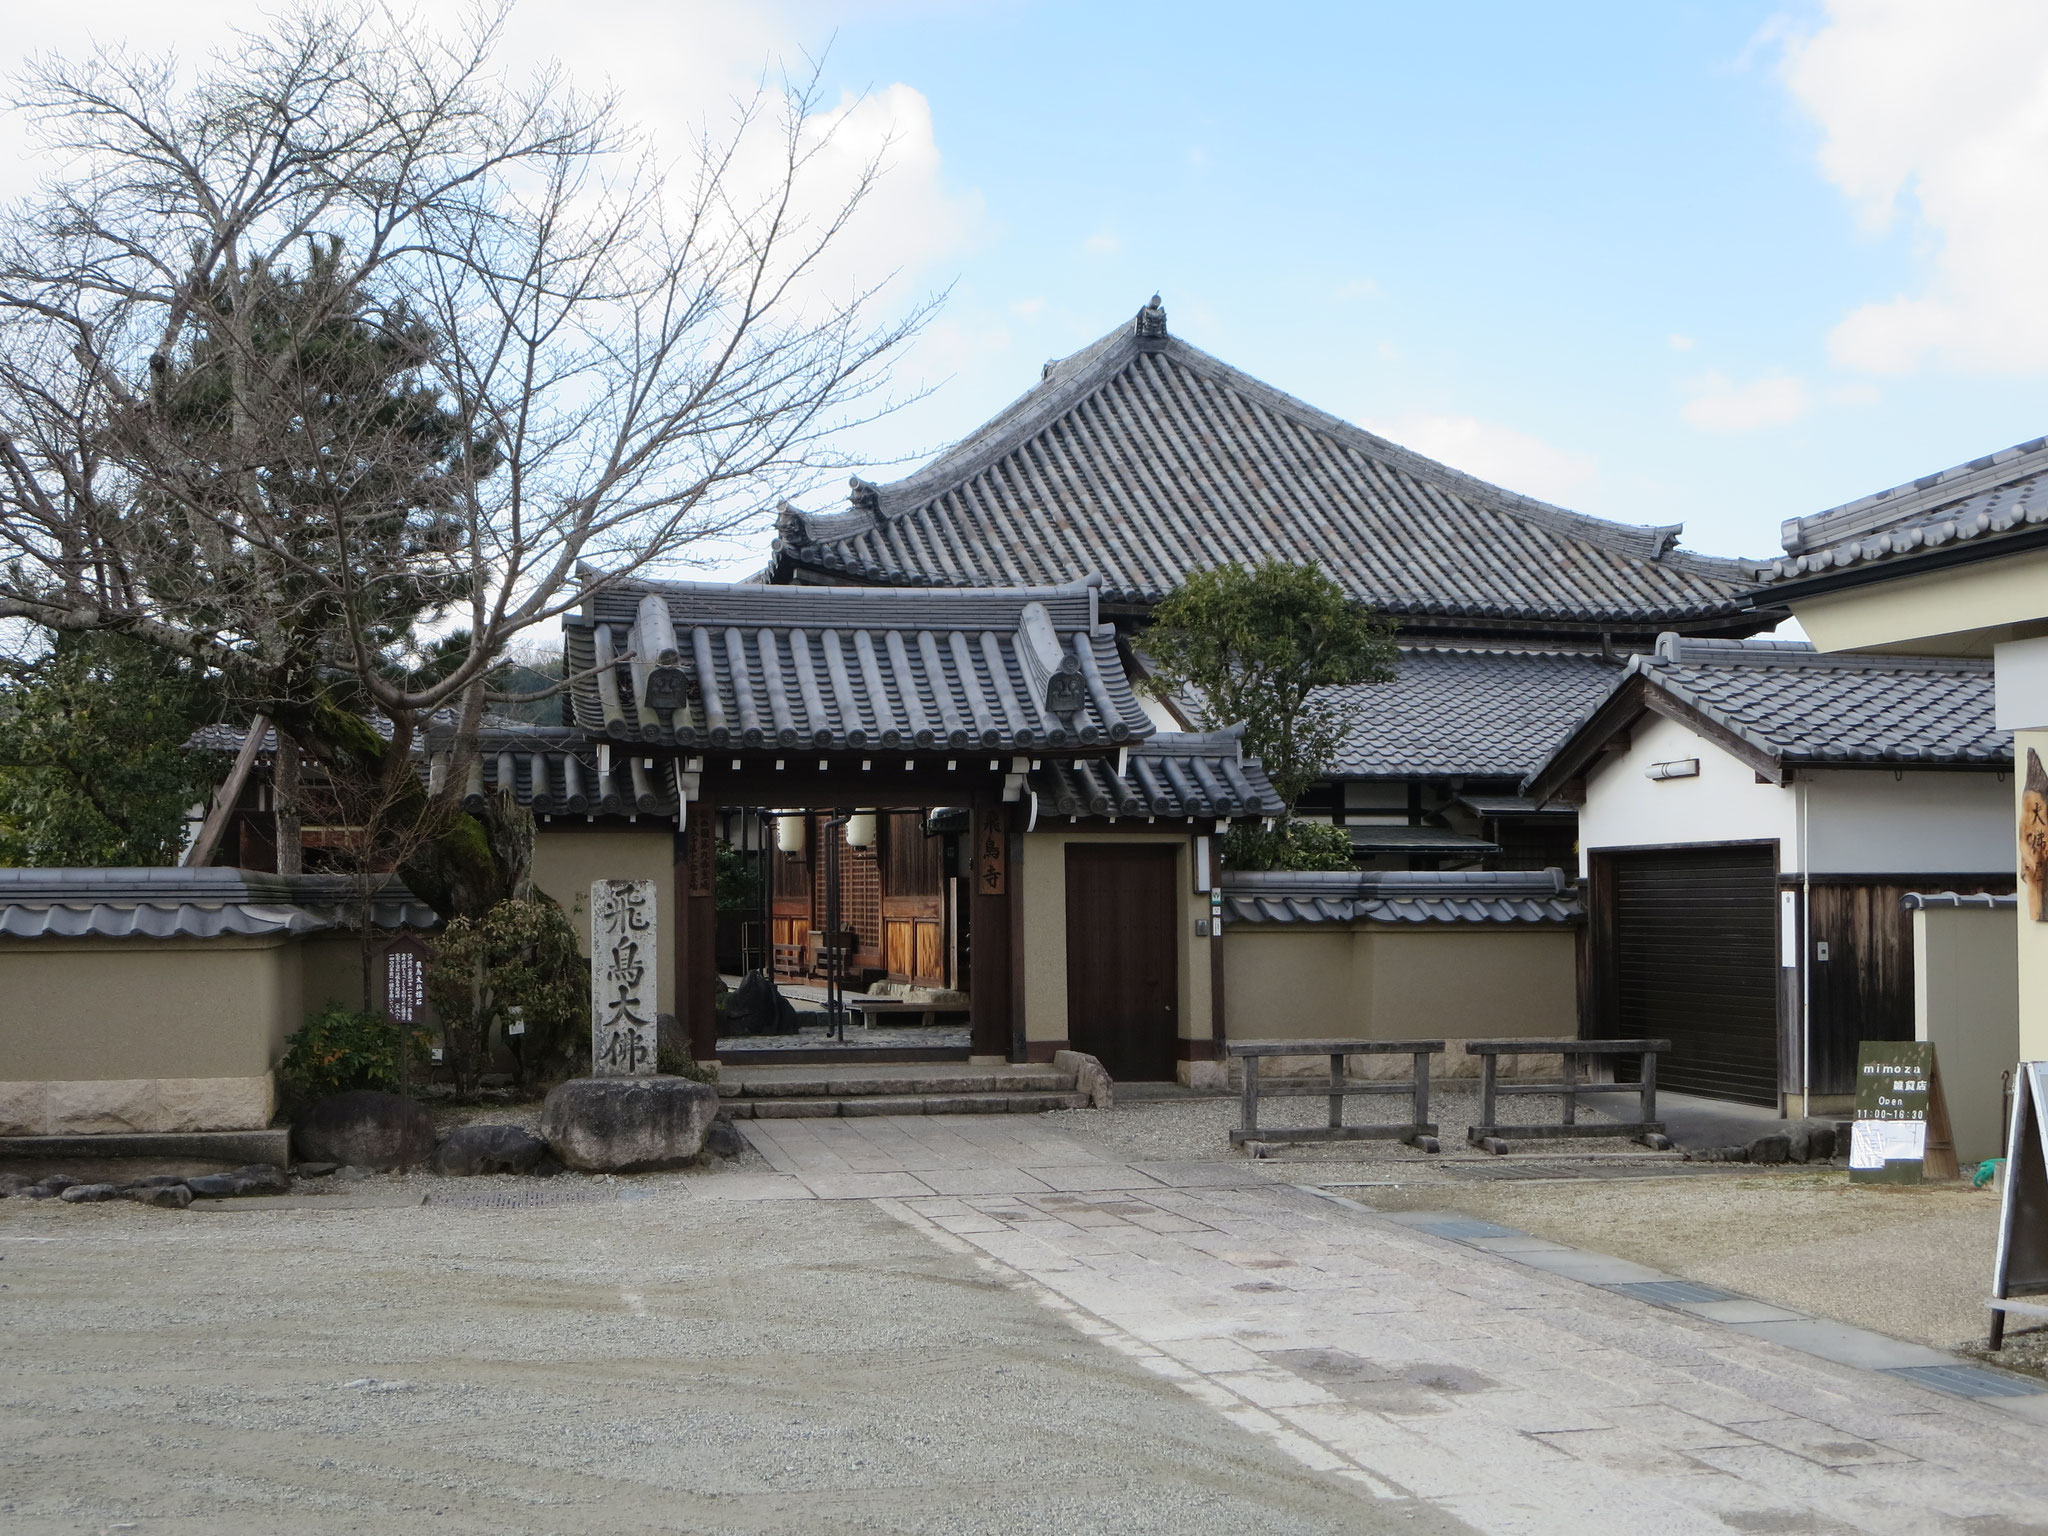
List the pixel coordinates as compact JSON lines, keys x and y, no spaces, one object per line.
{"x":1869,"y":822}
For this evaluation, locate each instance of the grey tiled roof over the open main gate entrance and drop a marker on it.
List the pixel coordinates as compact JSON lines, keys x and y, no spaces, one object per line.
{"x":851,"y":669}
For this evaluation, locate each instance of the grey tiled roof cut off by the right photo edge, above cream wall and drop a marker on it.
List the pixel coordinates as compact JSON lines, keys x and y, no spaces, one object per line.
{"x":1981,"y":503}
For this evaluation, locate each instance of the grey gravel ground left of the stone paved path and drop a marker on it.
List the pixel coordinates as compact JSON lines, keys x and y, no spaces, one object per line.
{"x":658,"y":1365}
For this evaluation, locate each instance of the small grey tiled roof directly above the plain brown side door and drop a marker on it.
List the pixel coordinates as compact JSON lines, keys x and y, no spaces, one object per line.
{"x":1172,"y":775}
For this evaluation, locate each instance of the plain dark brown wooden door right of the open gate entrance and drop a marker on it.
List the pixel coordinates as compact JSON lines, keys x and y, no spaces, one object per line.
{"x":1123,"y":957}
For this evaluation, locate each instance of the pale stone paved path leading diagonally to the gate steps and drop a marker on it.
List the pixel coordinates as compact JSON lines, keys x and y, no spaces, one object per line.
{"x":1422,"y":1369}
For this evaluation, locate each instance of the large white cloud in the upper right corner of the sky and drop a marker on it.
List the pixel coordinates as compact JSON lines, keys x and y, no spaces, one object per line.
{"x":1940,"y":105}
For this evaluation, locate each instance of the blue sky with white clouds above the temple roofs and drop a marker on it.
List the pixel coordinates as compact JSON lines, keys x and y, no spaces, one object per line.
{"x":1664,"y":263}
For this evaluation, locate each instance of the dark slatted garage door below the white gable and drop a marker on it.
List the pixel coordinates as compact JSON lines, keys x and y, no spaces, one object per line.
{"x":1695,"y":962}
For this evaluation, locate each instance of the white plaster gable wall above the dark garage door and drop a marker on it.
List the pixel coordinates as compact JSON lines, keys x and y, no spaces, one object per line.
{"x":1725,"y":804}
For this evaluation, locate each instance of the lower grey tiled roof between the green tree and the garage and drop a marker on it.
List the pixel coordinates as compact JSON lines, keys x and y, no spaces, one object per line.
{"x":1482,"y":714}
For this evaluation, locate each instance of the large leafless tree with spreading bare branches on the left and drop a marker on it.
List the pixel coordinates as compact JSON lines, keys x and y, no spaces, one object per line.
{"x":341,"y":343}
